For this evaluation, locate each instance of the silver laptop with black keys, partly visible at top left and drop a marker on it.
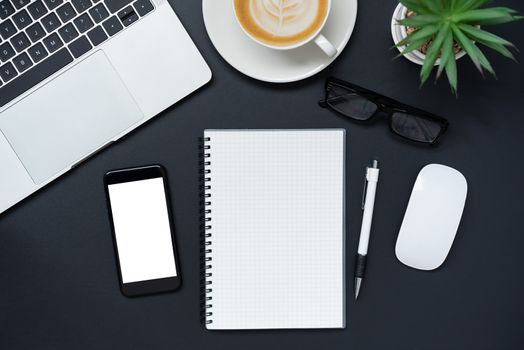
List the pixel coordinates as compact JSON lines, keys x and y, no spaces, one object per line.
{"x":76,"y":75}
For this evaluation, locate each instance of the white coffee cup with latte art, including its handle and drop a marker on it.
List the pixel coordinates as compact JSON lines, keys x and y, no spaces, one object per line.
{"x":285,"y":24}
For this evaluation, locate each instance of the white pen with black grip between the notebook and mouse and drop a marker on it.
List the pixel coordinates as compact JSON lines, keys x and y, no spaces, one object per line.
{"x":368,"y":202}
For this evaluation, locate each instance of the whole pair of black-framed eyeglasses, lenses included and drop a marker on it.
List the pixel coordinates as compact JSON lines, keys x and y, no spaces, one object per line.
{"x":362,"y":105}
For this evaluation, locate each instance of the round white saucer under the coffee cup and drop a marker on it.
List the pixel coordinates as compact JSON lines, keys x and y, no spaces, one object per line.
{"x":270,"y":65}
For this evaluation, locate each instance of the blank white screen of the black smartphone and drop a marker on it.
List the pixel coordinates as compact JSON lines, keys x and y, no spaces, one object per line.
{"x":143,"y":234}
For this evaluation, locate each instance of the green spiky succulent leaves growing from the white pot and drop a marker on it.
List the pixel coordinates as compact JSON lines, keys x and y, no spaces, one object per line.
{"x":446,"y":23}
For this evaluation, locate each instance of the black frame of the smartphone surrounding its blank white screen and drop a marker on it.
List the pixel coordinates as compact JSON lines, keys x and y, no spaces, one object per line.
{"x":155,"y":286}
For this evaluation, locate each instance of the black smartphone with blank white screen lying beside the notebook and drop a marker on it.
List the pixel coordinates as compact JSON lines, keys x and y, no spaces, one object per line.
{"x":139,"y":209}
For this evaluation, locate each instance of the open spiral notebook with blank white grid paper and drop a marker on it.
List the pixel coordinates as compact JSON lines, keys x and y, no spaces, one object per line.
{"x":274,"y":229}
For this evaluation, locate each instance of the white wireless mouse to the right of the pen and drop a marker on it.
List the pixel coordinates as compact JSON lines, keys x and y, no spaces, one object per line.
{"x":432,"y":217}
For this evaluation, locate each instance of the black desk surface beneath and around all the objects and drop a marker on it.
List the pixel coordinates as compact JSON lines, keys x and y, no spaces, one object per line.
{"x":59,"y":288}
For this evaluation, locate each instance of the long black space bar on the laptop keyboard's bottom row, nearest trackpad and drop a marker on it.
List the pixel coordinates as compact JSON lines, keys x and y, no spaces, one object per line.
{"x":39,"y":72}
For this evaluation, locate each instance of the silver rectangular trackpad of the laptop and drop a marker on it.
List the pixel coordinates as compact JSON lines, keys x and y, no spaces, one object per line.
{"x":70,"y":117}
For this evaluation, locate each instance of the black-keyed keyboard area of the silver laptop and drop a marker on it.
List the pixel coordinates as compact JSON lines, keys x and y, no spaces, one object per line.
{"x":40,"y":37}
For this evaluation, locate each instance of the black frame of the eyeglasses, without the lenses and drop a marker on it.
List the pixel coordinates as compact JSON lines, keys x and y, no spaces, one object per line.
{"x":385,"y":105}
